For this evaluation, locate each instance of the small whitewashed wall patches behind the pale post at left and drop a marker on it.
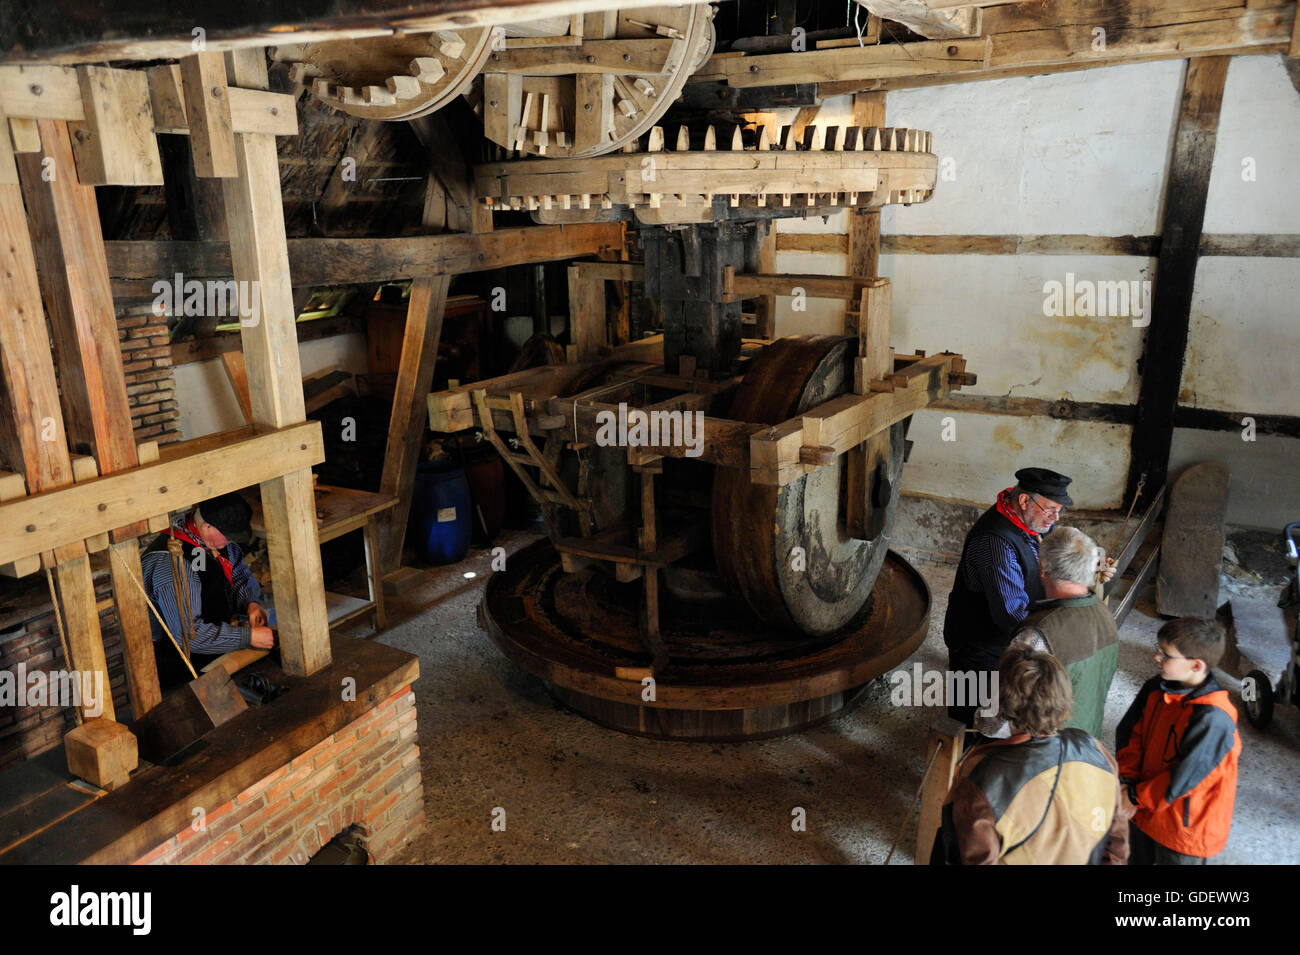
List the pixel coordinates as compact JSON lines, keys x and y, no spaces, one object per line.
{"x":207,"y":402}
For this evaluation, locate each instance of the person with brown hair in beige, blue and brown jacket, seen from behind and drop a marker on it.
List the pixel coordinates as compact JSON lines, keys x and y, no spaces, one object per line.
{"x":1046,"y":796}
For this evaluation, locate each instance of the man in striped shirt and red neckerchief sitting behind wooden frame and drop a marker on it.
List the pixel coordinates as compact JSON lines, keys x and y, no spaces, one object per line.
{"x":224,"y":607}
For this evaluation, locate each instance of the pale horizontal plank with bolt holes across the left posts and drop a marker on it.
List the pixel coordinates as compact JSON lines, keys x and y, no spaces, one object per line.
{"x":40,"y":523}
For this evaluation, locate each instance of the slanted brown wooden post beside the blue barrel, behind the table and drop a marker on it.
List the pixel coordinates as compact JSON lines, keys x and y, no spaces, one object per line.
{"x":411,"y":397}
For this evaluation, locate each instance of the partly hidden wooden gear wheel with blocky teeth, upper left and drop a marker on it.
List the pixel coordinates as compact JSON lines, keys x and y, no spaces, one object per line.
{"x":393,"y":79}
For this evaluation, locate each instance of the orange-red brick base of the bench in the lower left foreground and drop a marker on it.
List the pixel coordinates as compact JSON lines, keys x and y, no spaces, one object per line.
{"x":369,"y":775}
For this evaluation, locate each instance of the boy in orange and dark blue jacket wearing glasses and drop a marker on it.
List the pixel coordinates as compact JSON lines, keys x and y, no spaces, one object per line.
{"x":1177,"y":750}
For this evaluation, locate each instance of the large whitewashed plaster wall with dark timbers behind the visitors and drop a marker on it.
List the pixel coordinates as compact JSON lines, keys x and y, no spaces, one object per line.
{"x":1087,"y":154}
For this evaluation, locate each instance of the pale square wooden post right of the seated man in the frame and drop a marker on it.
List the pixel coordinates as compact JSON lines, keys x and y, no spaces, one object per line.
{"x":255,"y":218}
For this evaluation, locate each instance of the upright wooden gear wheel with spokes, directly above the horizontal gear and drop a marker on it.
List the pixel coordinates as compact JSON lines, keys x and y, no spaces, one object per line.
{"x":588,"y":94}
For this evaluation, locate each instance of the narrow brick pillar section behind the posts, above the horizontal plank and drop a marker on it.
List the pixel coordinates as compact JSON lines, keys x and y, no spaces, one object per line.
{"x":150,"y":384}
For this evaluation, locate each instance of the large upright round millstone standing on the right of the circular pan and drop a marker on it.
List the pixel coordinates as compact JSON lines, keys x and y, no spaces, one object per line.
{"x":785,"y":550}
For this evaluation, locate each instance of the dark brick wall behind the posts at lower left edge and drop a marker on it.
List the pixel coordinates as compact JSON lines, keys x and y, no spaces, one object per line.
{"x":27,"y":732}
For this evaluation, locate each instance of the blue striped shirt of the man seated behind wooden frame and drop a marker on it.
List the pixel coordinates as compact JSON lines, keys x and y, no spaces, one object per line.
{"x":209,"y":639}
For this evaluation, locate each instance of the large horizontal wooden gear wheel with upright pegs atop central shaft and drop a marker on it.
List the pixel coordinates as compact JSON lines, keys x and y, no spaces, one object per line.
{"x":747,"y":168}
